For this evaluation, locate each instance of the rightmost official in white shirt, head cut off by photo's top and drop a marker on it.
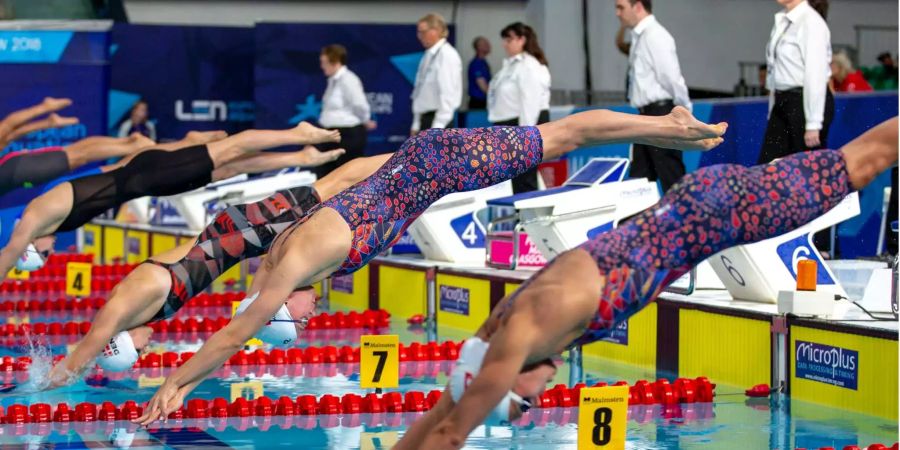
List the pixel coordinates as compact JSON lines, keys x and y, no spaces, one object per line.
{"x":798,"y":56}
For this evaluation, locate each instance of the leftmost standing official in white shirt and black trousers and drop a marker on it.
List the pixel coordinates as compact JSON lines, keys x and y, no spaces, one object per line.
{"x":344,"y":107}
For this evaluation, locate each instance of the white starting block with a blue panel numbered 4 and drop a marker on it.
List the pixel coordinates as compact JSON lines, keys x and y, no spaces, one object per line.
{"x":451,"y":229}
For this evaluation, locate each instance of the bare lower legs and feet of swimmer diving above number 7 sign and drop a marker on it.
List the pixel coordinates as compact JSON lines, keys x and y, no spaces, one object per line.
{"x":678,"y":130}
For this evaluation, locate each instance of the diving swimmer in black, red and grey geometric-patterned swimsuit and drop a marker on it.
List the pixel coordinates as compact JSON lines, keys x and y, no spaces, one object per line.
{"x":158,"y":288}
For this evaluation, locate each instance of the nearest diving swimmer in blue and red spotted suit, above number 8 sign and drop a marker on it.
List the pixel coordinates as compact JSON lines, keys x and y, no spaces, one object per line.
{"x":582,"y":295}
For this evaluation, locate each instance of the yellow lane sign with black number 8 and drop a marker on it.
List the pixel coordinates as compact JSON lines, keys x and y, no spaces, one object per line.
{"x":602,"y":415}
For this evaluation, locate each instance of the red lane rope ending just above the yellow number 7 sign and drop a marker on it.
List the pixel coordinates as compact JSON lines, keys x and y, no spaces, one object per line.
{"x":324,"y":321}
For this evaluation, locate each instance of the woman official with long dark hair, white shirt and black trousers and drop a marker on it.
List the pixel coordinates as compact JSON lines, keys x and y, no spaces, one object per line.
{"x":519,"y":94}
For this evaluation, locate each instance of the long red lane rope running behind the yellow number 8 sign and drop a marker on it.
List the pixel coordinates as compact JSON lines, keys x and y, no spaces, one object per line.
{"x":304,"y":405}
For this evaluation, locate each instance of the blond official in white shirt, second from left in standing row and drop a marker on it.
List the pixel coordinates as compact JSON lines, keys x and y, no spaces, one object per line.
{"x":437,"y":92}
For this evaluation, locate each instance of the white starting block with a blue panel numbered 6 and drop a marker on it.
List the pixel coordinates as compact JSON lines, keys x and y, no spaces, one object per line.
{"x":756,"y":272}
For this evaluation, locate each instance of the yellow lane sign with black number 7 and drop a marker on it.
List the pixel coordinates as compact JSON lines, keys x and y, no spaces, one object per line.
{"x":379,"y":361}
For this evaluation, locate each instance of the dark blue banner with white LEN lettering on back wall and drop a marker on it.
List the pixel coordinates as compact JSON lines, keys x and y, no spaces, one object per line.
{"x":193,"y":78}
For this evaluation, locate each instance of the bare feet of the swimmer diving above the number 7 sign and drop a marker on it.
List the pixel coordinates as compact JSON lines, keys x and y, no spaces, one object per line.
{"x":689,"y":133}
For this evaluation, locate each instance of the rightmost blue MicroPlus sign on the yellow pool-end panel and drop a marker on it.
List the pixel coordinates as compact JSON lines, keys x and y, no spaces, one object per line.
{"x":826,"y":364}
